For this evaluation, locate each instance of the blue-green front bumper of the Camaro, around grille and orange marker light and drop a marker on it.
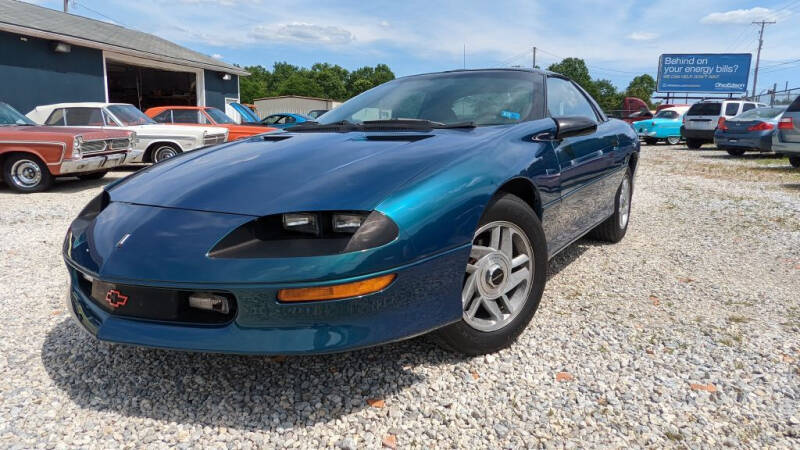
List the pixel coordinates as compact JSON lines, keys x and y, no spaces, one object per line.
{"x":425,"y":295}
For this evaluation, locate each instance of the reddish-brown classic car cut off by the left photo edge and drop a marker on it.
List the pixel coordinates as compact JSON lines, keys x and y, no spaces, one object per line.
{"x":32,"y":156}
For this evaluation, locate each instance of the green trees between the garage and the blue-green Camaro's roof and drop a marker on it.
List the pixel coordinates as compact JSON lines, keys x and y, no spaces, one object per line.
{"x":321,"y":80}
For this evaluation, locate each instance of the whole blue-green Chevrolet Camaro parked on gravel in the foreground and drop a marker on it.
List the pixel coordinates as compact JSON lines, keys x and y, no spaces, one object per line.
{"x":431,"y":203}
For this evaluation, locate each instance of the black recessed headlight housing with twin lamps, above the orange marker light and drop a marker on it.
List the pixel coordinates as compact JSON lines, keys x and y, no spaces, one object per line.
{"x":307,"y":234}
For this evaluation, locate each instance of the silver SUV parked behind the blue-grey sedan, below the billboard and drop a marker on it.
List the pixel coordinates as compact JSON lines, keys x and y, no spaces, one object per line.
{"x":702,"y":119}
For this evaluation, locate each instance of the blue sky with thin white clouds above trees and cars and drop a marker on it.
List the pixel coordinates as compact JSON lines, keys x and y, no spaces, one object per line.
{"x":618,"y":39}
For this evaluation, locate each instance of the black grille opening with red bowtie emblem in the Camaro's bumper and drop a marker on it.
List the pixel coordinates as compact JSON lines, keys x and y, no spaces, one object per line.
{"x":157,"y":304}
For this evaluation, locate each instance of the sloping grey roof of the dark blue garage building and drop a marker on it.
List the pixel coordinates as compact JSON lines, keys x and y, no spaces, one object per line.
{"x":27,"y":19}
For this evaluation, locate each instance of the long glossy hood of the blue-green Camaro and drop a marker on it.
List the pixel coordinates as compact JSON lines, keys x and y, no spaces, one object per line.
{"x":288,"y":172}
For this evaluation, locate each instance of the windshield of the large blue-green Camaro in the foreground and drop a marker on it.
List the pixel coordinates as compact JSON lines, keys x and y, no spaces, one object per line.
{"x":484,"y":98}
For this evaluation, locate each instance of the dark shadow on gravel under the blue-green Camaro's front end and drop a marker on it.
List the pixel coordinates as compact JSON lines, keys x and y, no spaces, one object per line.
{"x":242,"y":392}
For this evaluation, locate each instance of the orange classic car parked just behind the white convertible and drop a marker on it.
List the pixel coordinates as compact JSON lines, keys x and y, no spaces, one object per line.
{"x":203,"y":116}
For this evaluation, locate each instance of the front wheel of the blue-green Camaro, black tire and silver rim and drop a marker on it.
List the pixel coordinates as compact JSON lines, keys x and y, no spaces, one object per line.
{"x":503,"y":282}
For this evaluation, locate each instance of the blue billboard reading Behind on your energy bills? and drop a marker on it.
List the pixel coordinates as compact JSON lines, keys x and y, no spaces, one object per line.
{"x":708,"y":73}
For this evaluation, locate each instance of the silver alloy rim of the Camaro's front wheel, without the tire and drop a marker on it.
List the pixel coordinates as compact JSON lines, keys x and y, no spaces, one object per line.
{"x":499,"y":276}
